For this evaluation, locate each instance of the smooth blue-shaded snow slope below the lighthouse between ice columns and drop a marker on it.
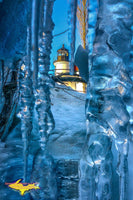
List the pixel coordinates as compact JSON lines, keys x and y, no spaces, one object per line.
{"x":70,"y":125}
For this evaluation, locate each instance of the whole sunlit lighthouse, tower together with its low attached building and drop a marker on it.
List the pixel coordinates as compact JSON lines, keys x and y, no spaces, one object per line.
{"x":62,"y":72}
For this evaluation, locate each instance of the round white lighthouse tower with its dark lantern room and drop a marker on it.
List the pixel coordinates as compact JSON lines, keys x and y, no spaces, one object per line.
{"x":62,"y":62}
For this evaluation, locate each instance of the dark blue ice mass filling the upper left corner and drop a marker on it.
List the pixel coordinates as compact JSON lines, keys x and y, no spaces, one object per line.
{"x":13,"y":15}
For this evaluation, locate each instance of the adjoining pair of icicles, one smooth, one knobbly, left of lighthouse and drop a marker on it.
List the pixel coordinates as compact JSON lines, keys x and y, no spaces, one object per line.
{"x":42,"y":39}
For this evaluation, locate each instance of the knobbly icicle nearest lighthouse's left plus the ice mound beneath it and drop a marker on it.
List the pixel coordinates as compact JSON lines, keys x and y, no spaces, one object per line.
{"x":43,"y":162}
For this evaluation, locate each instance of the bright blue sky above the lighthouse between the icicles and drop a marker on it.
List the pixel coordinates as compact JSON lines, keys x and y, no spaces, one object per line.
{"x":60,"y":18}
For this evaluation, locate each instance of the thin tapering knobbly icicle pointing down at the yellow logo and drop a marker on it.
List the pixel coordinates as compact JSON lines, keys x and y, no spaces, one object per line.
{"x":27,"y":101}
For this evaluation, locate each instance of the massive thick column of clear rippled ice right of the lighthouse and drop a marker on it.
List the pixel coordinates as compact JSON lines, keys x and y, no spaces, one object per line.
{"x":107,"y":99}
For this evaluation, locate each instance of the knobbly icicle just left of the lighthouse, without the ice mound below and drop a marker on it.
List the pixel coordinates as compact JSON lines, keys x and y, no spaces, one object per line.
{"x":44,"y":82}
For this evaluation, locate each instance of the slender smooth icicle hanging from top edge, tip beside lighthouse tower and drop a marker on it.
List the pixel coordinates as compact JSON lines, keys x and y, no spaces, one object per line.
{"x":72,"y":32}
